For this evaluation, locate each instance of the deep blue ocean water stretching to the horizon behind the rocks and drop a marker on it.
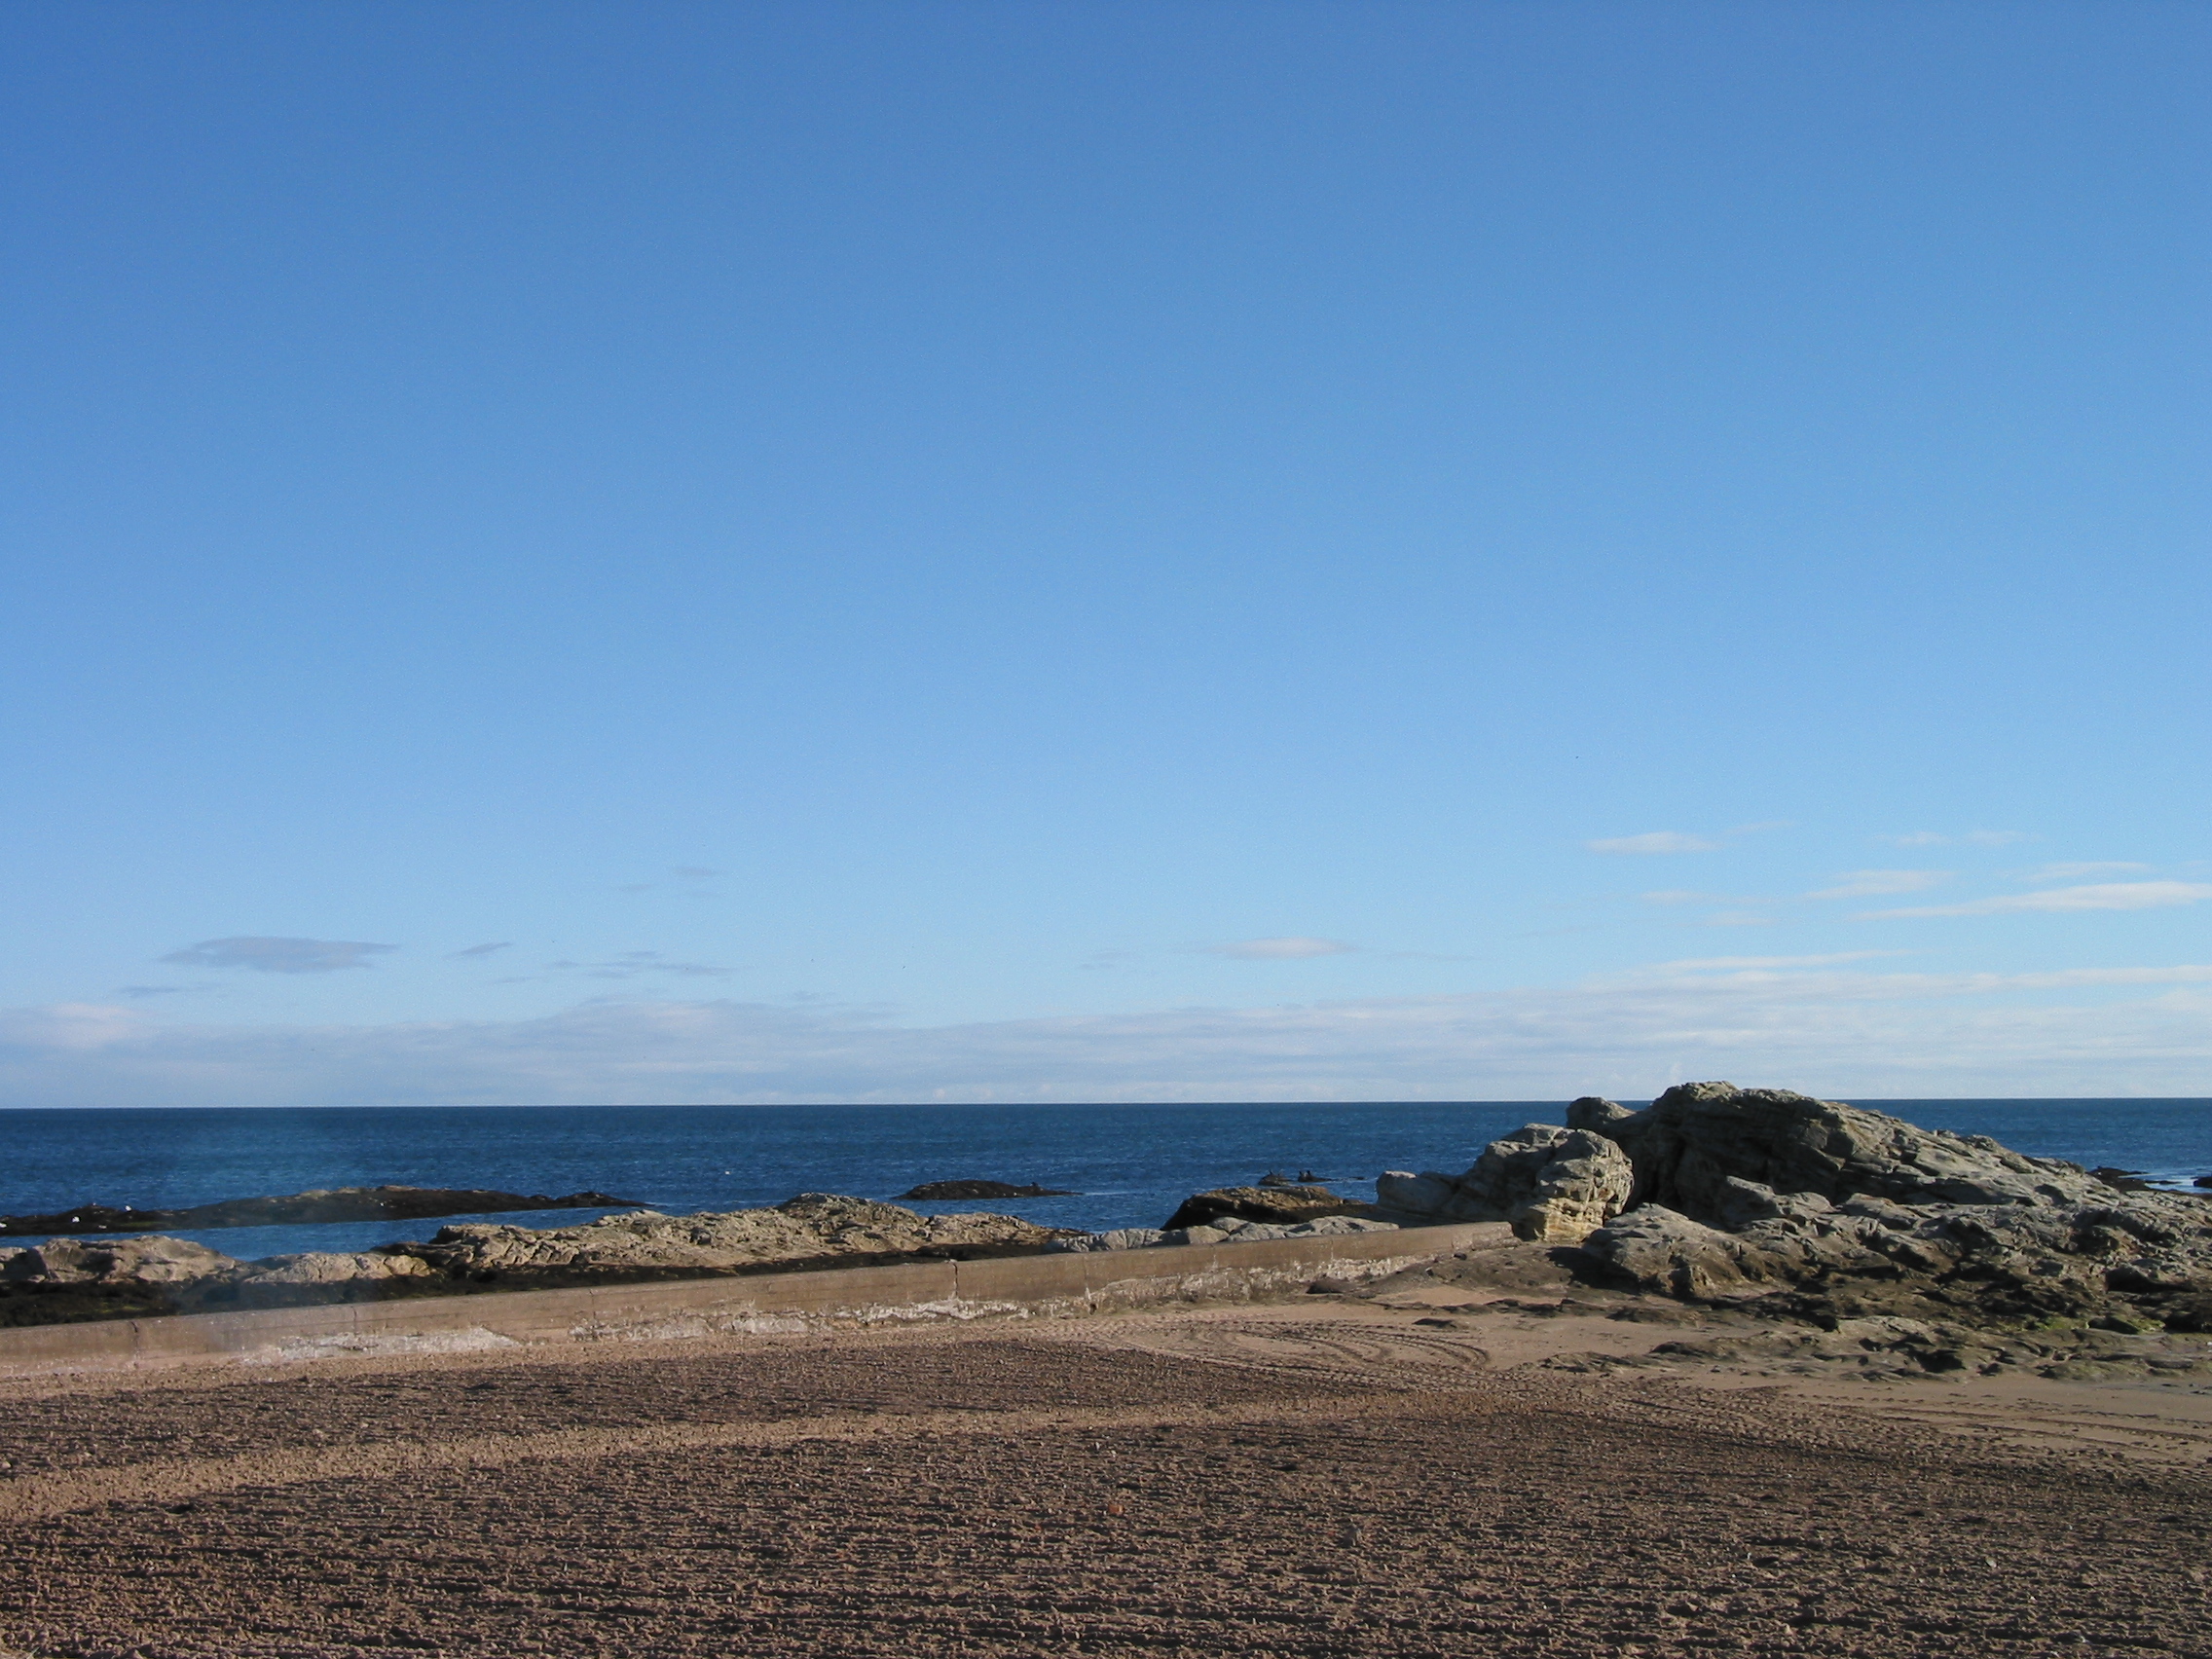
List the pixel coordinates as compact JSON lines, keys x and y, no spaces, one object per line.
{"x":1125,"y":1165}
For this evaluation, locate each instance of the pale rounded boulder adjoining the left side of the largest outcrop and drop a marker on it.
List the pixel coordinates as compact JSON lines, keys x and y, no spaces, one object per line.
{"x":1552,"y":1185}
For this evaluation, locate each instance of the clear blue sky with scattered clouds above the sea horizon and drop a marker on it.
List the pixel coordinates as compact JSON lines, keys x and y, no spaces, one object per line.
{"x":994,"y":552}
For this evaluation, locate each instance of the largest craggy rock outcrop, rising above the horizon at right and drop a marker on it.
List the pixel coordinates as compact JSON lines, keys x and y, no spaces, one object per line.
{"x":1760,"y":1193}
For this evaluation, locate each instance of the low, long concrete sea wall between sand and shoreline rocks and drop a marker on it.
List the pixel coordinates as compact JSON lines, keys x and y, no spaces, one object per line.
{"x":1056,"y":1286}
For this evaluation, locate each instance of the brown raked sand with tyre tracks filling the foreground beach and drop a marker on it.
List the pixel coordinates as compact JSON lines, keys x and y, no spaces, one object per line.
{"x":1315,"y":1479}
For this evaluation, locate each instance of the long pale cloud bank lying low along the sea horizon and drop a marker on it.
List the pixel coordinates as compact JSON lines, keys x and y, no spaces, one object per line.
{"x":1828,"y":1030}
